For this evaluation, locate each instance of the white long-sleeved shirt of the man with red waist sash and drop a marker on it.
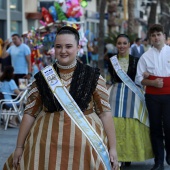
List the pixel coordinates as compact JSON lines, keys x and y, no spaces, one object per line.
{"x":154,"y":62}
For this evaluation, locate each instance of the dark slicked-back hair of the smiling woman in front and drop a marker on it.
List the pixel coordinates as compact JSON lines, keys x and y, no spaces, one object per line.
{"x":69,"y":30}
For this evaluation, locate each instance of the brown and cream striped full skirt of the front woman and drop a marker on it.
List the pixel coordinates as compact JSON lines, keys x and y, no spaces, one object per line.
{"x":56,"y":143}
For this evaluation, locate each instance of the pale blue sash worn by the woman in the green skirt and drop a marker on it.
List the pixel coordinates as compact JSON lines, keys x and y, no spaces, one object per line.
{"x":125,"y":78}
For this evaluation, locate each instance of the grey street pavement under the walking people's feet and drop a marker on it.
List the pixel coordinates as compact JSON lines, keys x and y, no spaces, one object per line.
{"x":8,"y":142}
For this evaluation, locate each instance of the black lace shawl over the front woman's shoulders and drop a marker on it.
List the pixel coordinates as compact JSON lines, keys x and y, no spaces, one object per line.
{"x":82,"y":86}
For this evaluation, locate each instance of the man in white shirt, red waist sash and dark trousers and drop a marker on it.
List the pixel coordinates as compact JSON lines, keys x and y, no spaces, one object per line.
{"x":153,"y":71}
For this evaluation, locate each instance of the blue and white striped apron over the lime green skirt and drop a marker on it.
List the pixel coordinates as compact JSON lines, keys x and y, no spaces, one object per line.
{"x":125,"y":103}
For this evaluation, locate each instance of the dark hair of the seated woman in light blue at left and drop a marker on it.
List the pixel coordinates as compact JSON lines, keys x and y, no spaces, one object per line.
{"x":8,"y":74}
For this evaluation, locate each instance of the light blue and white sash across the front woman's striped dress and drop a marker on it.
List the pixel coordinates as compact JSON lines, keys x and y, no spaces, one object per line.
{"x":75,"y":113}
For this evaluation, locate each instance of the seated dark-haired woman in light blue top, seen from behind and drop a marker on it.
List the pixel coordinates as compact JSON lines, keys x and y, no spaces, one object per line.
{"x":8,"y":87}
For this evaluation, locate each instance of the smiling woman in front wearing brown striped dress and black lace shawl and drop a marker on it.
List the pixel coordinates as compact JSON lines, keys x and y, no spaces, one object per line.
{"x":48,"y":138}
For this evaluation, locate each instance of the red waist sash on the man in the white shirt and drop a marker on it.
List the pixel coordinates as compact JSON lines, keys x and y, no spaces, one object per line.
{"x":154,"y":90}
